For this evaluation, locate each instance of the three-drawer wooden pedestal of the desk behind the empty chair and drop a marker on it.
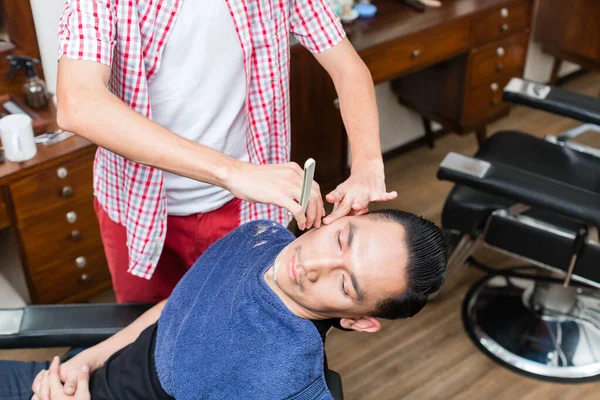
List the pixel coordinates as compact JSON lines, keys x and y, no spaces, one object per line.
{"x":472,"y":82}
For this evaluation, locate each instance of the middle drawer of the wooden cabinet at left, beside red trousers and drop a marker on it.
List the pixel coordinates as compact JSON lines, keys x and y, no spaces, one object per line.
{"x":61,"y":234}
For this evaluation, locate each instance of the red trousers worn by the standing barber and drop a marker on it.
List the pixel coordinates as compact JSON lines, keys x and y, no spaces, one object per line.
{"x":187,"y":238}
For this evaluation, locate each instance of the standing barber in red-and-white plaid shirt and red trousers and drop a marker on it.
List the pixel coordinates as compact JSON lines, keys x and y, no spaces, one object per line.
{"x":188,"y":102}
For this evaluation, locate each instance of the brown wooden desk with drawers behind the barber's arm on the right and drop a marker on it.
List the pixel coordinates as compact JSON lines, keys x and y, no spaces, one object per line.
{"x":448,"y":64}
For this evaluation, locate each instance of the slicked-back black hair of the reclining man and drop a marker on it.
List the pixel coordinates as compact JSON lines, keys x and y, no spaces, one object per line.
{"x":425,"y":269}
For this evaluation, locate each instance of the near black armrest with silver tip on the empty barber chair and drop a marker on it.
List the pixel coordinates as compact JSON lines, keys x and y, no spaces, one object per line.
{"x":522,"y":186}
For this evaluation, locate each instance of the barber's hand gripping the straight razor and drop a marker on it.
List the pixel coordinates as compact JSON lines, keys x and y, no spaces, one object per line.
{"x":279,"y":184}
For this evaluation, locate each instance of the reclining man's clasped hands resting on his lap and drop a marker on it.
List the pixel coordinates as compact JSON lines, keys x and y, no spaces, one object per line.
{"x":52,"y":388}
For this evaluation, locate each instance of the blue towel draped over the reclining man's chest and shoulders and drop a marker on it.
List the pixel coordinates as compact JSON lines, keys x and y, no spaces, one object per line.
{"x":225,"y":334}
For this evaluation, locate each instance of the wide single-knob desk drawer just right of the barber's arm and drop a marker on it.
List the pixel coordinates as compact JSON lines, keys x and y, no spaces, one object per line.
{"x":417,"y":51}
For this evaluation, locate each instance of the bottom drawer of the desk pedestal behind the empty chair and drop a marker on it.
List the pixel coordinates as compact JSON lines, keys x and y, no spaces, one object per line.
{"x":484,"y":101}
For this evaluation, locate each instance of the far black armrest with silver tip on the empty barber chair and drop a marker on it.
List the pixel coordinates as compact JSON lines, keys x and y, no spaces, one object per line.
{"x":552,"y":99}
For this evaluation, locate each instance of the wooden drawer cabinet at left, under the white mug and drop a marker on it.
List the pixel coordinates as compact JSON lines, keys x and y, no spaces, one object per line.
{"x":48,"y":201}
